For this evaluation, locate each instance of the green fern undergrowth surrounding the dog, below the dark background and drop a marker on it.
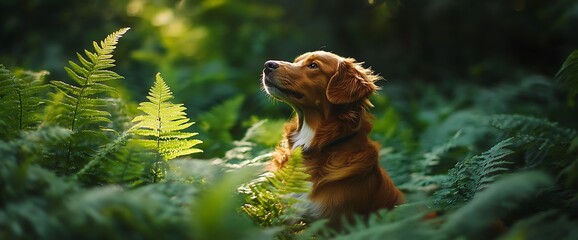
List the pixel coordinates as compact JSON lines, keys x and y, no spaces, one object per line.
{"x":78,"y":161}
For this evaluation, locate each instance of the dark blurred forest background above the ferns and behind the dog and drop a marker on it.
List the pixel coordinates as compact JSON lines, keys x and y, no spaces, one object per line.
{"x":211,"y":52}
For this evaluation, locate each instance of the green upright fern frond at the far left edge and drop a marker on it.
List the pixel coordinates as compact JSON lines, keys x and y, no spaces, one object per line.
{"x":20,"y":101}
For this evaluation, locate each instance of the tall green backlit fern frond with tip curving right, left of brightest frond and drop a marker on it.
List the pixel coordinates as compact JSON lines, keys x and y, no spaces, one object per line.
{"x":80,"y":105}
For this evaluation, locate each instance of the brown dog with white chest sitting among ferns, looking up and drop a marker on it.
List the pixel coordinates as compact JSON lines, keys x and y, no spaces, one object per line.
{"x":330,"y":94}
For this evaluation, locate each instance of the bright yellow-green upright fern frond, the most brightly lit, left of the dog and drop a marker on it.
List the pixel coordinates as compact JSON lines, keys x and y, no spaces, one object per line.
{"x":162,"y":123}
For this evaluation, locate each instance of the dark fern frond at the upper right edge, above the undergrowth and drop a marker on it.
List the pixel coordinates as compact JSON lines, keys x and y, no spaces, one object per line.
{"x":567,"y":76}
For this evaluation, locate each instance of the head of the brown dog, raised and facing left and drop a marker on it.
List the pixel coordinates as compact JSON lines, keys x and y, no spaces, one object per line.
{"x":317,"y":79}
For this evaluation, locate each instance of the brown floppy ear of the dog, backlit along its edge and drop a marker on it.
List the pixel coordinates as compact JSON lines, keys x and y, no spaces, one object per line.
{"x":350,"y":83}
